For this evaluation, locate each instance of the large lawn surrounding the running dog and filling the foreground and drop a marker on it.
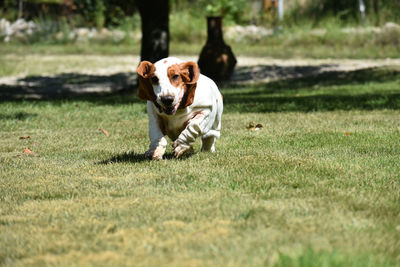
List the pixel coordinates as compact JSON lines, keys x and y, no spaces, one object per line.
{"x":318,"y":185}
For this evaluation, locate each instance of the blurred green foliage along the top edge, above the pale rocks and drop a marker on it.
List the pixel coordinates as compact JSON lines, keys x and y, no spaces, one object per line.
{"x":113,"y":13}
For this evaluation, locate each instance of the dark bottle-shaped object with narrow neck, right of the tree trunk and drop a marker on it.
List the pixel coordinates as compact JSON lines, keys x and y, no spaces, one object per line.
{"x":216,"y":60}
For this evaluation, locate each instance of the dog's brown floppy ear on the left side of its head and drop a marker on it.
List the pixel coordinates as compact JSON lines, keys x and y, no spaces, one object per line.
{"x":145,"y":70}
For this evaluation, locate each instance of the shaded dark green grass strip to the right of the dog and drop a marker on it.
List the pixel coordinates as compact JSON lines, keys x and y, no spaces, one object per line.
{"x":366,"y":89}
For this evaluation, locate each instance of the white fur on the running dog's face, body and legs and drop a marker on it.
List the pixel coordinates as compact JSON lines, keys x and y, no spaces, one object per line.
{"x":203,"y":116}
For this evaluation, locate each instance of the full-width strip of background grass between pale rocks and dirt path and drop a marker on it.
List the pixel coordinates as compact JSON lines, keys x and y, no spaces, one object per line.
{"x":287,"y":45}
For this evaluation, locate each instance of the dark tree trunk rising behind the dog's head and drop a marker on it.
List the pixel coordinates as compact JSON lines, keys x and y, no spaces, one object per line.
{"x":155,"y":29}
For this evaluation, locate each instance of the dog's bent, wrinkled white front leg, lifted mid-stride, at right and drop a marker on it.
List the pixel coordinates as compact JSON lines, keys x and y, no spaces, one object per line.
{"x":187,"y":137}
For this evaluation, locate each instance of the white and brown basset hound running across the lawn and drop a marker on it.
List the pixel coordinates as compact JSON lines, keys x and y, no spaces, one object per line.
{"x":181,"y":104}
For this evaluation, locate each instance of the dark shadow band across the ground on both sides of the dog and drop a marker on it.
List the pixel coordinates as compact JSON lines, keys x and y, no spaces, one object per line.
{"x":374,"y":88}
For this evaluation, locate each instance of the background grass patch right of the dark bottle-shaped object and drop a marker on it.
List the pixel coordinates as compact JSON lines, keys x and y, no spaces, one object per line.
{"x":332,"y":42}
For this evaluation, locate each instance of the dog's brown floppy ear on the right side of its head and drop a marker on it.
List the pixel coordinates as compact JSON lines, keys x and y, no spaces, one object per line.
{"x":190,"y":73}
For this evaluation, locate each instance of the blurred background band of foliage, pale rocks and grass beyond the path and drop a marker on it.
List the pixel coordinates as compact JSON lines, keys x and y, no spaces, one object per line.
{"x":289,"y":28}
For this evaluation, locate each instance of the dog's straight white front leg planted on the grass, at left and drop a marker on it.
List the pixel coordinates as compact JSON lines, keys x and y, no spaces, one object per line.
{"x":158,"y":143}
